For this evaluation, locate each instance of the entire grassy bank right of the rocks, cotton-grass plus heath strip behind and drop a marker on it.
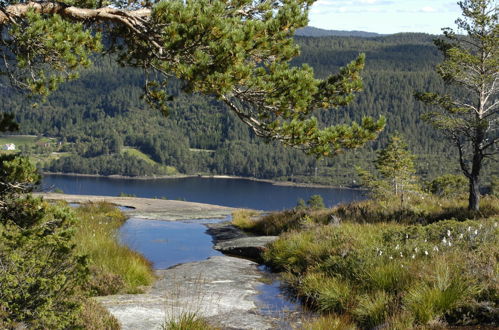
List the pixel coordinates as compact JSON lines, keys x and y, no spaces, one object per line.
{"x":371,"y":264}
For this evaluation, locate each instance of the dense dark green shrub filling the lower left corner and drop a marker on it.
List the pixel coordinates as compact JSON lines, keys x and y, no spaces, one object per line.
{"x":41,"y":271}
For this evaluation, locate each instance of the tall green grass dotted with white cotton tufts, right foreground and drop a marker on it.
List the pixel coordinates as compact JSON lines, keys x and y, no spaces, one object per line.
{"x":393,"y":275}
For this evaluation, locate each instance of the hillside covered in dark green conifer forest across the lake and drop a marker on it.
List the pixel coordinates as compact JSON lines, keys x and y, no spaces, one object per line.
{"x":96,"y":116}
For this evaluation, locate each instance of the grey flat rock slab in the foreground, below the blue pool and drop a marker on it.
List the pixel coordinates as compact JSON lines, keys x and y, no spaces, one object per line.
{"x":222,"y":289}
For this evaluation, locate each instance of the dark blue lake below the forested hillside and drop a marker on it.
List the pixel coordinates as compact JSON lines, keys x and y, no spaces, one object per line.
{"x":226,"y":192}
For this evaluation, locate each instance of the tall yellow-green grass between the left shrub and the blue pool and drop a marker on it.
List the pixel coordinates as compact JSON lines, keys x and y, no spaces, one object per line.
{"x":114,"y":267}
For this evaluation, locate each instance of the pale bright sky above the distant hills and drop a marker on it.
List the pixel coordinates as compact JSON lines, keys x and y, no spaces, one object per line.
{"x":384,"y":16}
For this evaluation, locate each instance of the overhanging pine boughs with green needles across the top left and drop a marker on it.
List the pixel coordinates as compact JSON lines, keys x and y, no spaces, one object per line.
{"x":236,"y":50}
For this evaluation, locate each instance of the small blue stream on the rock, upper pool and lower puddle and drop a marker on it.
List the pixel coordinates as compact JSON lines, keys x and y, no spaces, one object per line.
{"x":169,"y":243}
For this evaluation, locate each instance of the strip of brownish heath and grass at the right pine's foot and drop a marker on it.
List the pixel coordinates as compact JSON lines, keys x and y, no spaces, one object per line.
{"x":424,"y":210}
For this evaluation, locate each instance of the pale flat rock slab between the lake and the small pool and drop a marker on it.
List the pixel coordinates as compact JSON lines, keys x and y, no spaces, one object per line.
{"x":150,"y":208}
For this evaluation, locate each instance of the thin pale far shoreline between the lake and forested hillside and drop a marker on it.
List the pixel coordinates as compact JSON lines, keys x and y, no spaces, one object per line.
{"x":217,"y":176}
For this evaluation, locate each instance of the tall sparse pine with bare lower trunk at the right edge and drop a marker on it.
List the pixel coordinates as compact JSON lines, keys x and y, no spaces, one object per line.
{"x":470,"y":117}
